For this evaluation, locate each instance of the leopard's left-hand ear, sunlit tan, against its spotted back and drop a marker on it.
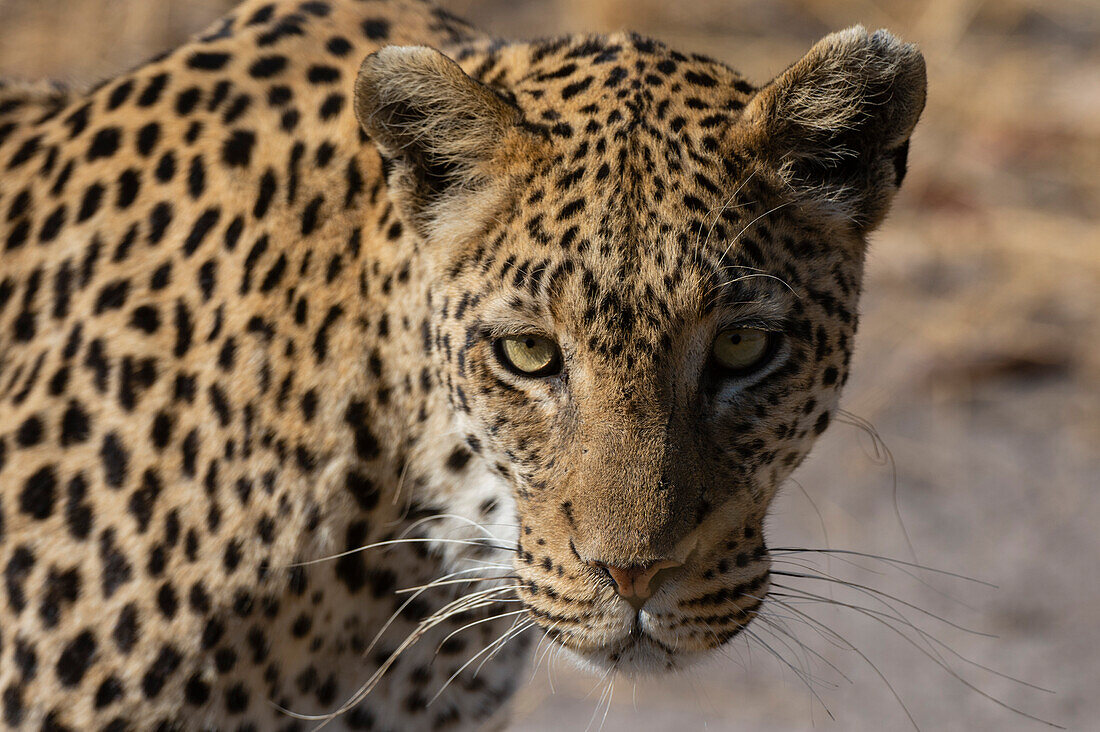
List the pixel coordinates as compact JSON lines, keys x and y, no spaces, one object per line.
{"x":444,"y":132}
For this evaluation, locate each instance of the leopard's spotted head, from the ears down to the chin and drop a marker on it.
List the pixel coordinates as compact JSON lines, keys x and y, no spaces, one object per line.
{"x":643,"y":318}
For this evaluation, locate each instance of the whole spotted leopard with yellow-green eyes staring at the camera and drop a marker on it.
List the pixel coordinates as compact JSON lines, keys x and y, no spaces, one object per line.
{"x":347,"y":351}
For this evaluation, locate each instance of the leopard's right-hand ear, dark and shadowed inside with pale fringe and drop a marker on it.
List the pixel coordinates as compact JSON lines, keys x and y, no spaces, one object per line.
{"x":837,"y":125}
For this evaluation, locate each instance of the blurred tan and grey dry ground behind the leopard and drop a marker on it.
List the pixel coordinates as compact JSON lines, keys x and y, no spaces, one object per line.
{"x":978,"y":366}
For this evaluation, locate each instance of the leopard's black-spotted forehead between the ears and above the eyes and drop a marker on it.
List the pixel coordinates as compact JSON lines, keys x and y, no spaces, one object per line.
{"x":642,"y":221}
